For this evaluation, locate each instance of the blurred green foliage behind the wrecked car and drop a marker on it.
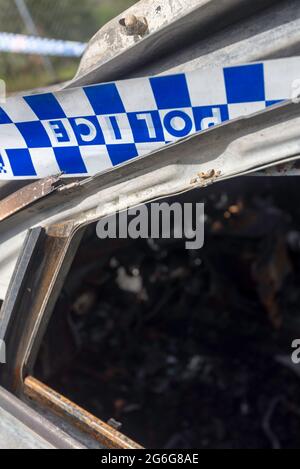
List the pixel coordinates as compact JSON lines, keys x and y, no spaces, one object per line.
{"x":62,"y":19}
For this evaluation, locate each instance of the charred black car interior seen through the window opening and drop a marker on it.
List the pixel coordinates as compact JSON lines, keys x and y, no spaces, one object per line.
{"x":189,"y":349}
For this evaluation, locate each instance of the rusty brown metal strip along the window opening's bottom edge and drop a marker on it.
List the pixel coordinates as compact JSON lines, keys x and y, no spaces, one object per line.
{"x":86,"y":422}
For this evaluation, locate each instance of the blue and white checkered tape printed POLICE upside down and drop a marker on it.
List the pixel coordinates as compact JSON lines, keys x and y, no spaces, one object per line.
{"x":84,"y":131}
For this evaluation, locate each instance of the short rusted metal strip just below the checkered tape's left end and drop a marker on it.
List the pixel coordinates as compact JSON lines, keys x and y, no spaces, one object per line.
{"x":28,"y":195}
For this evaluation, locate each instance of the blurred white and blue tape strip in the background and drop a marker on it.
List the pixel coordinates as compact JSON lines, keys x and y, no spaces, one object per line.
{"x":22,"y":44}
